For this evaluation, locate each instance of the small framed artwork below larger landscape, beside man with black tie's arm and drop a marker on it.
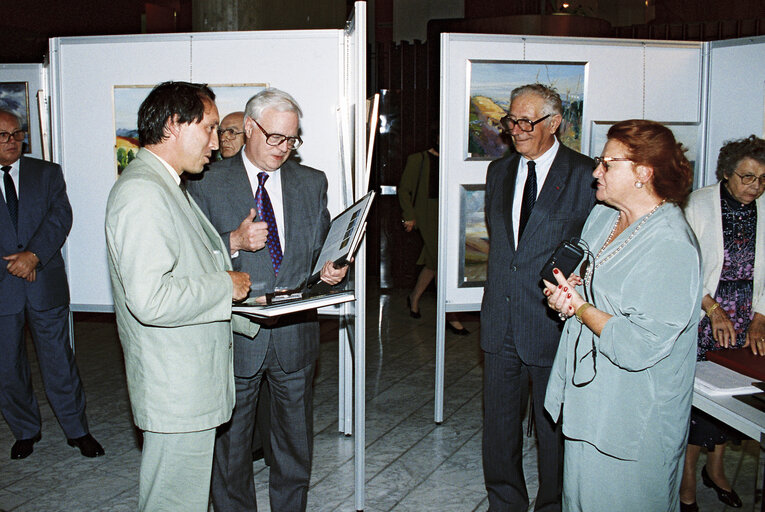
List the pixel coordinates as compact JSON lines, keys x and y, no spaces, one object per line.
{"x":474,"y":237}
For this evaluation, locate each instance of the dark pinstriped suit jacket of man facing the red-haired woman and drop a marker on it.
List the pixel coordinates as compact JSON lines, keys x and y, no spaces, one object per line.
{"x":513,"y":302}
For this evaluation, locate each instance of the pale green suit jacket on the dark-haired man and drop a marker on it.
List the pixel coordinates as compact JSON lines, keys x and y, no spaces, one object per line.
{"x":172,"y":297}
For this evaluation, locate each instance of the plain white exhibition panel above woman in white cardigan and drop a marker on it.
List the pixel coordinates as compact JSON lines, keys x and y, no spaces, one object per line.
{"x":736,"y":94}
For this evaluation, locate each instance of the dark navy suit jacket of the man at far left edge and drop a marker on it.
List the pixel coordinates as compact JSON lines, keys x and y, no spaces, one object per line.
{"x":45,"y":218}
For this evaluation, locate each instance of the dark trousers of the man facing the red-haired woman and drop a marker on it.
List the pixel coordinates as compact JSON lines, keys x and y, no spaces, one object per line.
{"x":504,"y":402}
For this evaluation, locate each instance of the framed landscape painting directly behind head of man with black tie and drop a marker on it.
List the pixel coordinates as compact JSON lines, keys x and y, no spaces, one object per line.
{"x":490,"y":85}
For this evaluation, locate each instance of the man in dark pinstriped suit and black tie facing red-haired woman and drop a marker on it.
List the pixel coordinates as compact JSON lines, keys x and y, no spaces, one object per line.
{"x":534,"y":199}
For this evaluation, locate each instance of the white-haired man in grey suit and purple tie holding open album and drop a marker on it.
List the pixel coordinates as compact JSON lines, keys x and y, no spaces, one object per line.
{"x":290,"y":201}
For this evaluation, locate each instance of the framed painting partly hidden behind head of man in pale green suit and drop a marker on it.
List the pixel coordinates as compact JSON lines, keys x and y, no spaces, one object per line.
{"x":128,"y":98}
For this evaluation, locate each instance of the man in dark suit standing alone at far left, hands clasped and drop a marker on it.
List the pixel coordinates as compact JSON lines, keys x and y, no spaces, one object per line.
{"x":35,"y":220}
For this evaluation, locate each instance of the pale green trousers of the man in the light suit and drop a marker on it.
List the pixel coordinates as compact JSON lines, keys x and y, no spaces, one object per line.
{"x":175,"y":471}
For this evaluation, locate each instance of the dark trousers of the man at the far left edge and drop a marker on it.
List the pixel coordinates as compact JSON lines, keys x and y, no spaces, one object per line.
{"x":50,"y":333}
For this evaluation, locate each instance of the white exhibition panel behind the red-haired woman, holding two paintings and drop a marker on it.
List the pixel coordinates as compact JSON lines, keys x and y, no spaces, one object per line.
{"x":623,"y":79}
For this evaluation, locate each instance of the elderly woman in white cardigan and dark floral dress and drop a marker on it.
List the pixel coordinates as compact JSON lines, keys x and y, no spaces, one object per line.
{"x":729,"y":221}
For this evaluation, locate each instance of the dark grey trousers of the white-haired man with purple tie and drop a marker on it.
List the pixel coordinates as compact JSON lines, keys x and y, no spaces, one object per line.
{"x":233,"y":487}
